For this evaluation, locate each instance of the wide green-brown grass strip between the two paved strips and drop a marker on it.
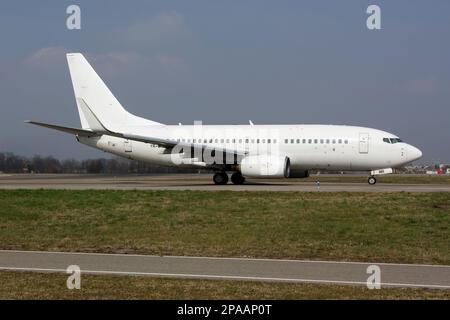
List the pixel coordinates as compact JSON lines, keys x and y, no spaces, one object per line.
{"x":390,"y":227}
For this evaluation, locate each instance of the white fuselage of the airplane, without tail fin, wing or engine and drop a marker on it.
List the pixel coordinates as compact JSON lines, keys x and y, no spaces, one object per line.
{"x":322,"y":147}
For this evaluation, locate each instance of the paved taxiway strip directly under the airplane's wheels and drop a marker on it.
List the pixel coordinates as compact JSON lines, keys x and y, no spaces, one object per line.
{"x":197,"y":182}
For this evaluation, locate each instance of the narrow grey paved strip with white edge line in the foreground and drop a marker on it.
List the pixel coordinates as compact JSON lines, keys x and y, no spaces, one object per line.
{"x":292,"y":271}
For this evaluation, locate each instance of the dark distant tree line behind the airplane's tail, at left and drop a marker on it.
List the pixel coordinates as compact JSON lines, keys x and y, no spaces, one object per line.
{"x":11,"y":163}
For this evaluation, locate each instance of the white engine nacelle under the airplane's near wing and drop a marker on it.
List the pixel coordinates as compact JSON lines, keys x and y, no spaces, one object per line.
{"x":265,"y":166}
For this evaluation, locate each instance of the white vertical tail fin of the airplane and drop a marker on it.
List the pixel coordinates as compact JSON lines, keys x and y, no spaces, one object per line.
{"x":99,"y":110}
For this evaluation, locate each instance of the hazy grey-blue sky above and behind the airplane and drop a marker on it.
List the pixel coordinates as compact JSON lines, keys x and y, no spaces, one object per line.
{"x":230,"y":61}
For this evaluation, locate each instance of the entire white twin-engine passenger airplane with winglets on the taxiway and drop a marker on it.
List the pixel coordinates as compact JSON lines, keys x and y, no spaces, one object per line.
{"x":256,"y":151}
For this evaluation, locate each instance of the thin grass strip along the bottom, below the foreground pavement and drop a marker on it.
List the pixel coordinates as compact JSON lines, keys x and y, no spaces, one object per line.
{"x":18,"y":285}
